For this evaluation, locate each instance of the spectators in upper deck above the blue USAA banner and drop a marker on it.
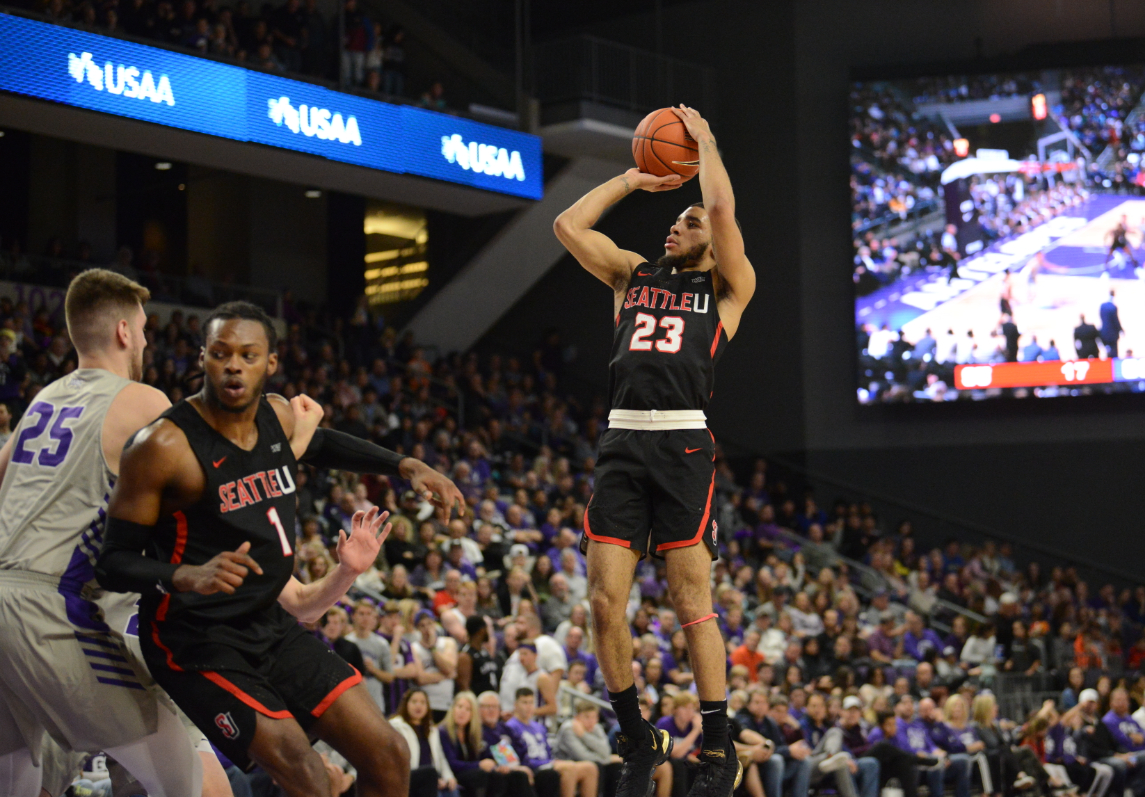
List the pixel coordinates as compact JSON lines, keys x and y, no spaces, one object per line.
{"x":290,"y":36}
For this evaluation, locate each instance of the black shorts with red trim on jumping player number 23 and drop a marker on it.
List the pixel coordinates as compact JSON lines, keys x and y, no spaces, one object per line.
{"x":653,"y":491}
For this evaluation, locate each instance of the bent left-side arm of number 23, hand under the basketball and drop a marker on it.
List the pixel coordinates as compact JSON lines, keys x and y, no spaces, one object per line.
{"x":594,"y":250}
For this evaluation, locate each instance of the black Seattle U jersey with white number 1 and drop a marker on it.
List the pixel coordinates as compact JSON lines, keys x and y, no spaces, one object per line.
{"x":248,"y":496}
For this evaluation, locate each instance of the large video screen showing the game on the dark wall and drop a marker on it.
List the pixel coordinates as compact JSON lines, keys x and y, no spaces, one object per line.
{"x":999,"y":235}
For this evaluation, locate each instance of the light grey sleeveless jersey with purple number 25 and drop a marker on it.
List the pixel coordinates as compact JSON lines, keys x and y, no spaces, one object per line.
{"x":56,"y":493}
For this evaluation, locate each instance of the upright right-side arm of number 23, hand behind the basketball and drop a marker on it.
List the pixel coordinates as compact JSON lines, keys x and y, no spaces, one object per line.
{"x":720,"y":201}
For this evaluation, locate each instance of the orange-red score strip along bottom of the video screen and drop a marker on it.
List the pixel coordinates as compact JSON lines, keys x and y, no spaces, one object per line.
{"x":1053,"y":373}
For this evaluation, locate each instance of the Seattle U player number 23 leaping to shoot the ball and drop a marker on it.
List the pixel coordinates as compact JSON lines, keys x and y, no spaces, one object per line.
{"x":656,"y":472}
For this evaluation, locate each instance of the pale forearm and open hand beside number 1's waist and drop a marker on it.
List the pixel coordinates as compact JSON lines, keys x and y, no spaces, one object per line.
{"x":356,"y":555}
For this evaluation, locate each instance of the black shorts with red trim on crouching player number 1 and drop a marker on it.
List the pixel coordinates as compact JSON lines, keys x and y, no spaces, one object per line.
{"x":298,"y":677}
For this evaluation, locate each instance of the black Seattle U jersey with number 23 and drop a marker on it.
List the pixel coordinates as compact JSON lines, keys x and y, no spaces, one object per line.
{"x":667,"y":343}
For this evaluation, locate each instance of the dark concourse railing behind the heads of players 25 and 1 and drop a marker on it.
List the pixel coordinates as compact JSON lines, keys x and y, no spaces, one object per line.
{"x":193,"y":291}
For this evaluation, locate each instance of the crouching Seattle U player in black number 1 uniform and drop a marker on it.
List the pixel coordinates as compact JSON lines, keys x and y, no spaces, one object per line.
{"x":199,"y":525}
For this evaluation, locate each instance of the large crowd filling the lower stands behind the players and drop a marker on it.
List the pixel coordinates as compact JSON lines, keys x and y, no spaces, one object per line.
{"x":856,"y":654}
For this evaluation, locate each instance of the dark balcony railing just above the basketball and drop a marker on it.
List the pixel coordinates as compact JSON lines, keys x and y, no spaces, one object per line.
{"x":610,"y":74}
